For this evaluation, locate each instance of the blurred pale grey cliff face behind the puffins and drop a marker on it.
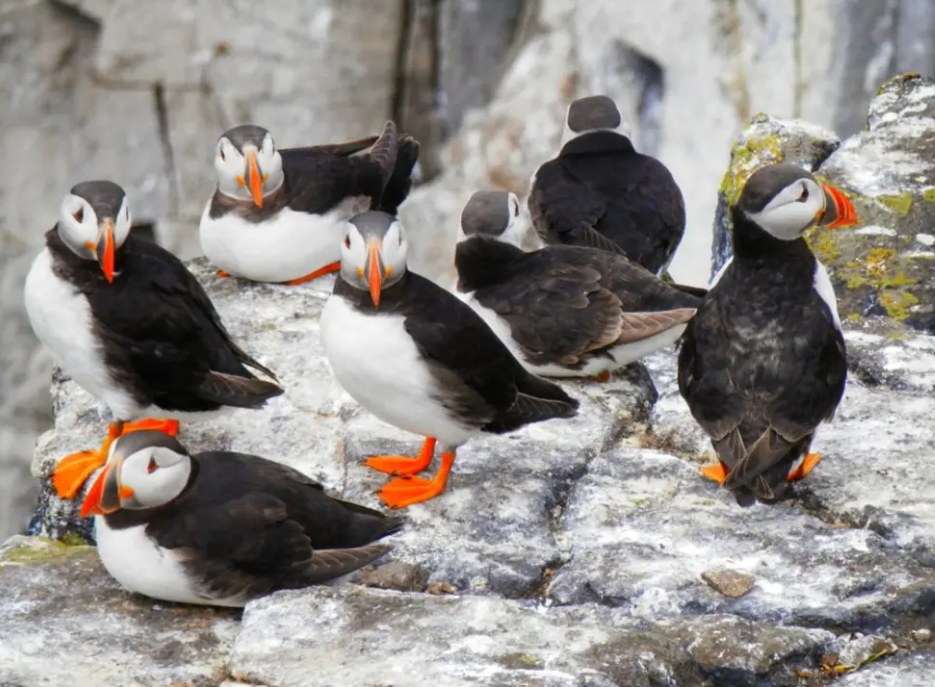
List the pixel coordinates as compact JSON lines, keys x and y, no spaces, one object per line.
{"x":138,"y":92}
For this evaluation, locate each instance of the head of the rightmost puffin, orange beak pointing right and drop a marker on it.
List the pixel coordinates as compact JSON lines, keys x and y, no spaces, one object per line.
{"x":785,"y":200}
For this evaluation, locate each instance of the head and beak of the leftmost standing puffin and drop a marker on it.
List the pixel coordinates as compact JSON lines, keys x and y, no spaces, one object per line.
{"x":94,"y":221}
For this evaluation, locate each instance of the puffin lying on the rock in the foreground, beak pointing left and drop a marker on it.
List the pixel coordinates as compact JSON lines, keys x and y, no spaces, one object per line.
{"x":220,"y":528}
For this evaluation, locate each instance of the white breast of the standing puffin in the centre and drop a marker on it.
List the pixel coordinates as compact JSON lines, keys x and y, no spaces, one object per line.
{"x":375,"y":360}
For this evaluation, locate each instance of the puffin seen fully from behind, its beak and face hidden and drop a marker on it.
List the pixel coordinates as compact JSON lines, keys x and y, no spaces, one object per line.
{"x":600,"y":192}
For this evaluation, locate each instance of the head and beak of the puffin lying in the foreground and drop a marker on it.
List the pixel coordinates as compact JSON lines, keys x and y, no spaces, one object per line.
{"x":145,"y":469}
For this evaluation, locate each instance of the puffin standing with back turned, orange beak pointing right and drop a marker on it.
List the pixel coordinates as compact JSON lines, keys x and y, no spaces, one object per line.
{"x":763,"y":362}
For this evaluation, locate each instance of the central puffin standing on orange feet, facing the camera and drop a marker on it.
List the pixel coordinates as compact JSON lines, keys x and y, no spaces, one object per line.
{"x":418,"y":358}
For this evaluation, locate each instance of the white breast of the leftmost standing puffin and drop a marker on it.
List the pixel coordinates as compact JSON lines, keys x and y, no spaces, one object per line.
{"x":62,"y":319}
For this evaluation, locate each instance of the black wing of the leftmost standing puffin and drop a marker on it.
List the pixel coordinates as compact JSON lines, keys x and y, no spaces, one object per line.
{"x":163,"y":334}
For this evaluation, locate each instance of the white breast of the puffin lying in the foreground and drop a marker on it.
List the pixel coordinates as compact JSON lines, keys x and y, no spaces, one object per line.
{"x":137,"y":563}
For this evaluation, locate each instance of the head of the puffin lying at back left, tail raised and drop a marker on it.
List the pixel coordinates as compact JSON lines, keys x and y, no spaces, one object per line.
{"x":248,"y":166}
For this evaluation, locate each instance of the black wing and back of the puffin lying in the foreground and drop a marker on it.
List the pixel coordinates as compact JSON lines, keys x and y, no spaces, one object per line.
{"x":249,"y":525}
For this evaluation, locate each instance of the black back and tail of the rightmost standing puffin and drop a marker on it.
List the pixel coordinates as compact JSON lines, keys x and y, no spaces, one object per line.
{"x":762,"y":352}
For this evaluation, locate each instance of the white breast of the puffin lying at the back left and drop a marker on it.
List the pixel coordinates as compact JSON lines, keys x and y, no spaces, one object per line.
{"x":286,"y":246}
